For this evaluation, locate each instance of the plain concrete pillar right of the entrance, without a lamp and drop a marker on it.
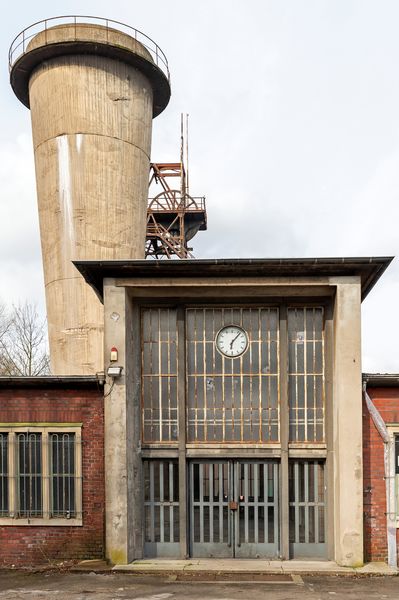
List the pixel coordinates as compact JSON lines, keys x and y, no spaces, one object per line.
{"x":347,"y":426}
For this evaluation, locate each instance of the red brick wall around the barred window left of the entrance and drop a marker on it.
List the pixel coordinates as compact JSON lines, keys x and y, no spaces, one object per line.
{"x":30,"y":545}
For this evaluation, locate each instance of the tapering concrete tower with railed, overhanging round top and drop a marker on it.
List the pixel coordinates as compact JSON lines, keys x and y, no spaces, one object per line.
{"x":93,"y":87}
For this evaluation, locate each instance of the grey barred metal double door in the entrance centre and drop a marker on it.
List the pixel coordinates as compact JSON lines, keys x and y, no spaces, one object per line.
{"x":234,"y":509}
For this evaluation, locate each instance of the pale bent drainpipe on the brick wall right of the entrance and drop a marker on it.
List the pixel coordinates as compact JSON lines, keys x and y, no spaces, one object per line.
{"x":389,"y":479}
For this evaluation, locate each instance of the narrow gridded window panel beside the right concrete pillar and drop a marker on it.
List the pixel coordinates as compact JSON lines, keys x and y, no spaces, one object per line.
{"x":306,"y":374}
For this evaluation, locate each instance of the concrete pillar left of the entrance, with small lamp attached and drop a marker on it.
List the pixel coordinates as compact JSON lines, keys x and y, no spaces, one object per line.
{"x":124,"y":495}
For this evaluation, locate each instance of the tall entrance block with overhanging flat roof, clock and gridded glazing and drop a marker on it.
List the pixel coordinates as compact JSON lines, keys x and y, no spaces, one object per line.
{"x":237,"y":419}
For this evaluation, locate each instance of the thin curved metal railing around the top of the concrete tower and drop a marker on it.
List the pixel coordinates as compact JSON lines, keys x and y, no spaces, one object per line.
{"x":19,"y":44}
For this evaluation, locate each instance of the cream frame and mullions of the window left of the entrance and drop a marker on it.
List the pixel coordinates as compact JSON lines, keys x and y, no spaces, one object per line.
{"x":45,"y":429}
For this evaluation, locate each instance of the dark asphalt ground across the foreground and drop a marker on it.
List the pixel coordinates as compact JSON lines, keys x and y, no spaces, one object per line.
{"x":55,"y":586}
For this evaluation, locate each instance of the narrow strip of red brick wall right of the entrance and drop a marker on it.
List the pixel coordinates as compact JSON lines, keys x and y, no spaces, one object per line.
{"x":386,"y":400}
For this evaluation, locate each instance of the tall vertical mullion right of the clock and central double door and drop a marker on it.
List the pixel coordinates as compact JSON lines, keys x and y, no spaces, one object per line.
{"x":283,"y":488}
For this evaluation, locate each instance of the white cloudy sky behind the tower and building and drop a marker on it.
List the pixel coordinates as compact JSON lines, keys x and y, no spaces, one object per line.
{"x":294,"y":135}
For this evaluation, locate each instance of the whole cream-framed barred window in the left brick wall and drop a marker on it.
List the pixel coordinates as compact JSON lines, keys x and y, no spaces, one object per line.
{"x":40,"y":475}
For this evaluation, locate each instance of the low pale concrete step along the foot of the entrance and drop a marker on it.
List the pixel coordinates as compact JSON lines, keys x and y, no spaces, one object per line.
{"x":251,"y":566}
